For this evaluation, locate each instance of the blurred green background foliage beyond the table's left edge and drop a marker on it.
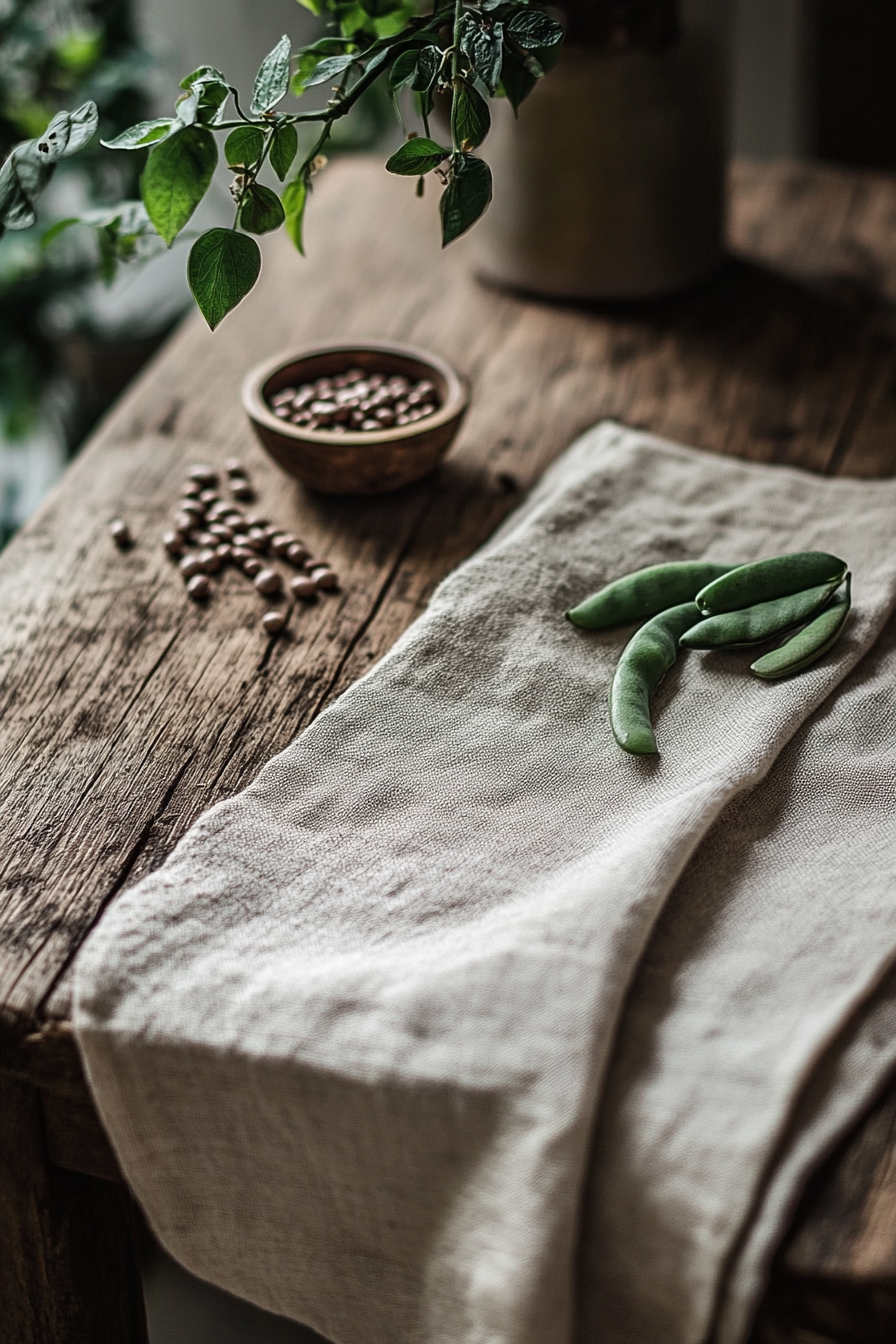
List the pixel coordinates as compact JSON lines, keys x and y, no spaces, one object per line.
{"x":58,"y":53}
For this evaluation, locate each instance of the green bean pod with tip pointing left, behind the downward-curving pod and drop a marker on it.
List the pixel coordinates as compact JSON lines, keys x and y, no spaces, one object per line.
{"x":645,"y":593}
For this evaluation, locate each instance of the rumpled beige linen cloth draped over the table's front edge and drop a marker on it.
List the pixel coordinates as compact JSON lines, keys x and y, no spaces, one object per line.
{"x":461,"y":1026}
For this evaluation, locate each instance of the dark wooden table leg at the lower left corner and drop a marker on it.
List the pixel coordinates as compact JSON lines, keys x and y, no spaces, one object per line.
{"x":69,"y":1252}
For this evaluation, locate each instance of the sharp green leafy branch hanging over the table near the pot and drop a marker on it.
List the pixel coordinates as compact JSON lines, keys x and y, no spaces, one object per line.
{"x":464,"y":50}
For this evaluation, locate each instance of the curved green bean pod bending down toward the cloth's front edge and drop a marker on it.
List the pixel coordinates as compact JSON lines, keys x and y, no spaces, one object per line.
{"x":645,"y":659}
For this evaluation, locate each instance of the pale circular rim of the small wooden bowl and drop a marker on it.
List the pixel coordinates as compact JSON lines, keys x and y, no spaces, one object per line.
{"x":456,"y":396}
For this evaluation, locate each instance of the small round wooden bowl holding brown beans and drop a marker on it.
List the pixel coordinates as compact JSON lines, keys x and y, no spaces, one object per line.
{"x":362,"y":463}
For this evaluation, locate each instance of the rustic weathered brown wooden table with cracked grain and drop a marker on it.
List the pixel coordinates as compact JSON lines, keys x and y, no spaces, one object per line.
{"x":127,"y":710}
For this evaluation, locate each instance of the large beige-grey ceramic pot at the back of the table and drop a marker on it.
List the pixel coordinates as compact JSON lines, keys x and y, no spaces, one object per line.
{"x":612,"y":183}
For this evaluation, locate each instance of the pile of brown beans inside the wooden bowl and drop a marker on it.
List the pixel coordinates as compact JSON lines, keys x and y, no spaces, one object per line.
{"x":357,"y":403}
